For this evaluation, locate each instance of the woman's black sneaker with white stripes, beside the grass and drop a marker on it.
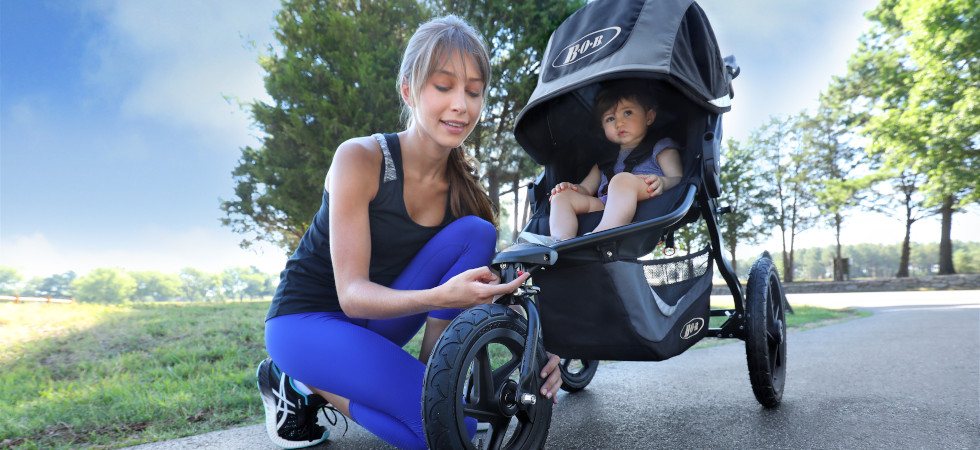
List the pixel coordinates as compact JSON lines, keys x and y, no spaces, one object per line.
{"x":290,"y":416}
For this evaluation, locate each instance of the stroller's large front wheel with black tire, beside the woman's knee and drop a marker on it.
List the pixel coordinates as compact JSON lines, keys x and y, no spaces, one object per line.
{"x":461,"y":368}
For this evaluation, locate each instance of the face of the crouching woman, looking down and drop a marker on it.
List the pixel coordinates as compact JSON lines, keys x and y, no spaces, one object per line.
{"x":450,"y":102}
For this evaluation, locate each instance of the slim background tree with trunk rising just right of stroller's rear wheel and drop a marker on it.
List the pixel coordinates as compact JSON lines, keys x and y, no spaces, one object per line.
{"x":789,"y":181}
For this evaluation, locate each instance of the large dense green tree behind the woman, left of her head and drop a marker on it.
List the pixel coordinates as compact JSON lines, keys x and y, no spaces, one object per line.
{"x":332,"y":79}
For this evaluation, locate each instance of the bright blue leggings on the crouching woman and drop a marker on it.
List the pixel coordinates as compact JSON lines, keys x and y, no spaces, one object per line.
{"x":363,"y":360}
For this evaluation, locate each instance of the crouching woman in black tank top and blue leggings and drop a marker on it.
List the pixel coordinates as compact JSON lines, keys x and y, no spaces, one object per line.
{"x":403,"y":237}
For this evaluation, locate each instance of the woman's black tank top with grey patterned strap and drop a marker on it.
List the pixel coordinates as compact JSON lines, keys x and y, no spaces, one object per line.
{"x":307,"y":283}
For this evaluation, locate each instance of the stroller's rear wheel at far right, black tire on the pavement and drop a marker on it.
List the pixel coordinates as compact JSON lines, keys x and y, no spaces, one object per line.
{"x":765,"y":326}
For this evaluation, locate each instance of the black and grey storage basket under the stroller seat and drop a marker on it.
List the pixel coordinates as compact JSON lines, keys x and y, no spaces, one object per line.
{"x":625,"y":310}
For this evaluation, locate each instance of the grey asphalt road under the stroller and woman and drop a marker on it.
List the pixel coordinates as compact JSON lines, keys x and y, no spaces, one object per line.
{"x":906,"y":377}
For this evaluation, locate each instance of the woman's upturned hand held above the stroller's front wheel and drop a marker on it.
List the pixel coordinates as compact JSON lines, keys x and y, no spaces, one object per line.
{"x":476,"y":287}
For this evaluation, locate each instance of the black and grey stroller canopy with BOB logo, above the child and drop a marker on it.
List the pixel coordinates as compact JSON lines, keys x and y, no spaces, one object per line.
{"x":666,"y":40}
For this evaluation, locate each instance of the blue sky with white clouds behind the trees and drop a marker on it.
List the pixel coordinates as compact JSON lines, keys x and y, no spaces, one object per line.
{"x":117,"y":138}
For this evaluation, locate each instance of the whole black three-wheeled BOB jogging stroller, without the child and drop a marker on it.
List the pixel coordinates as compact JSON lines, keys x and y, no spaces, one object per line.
{"x":599,"y":296}
